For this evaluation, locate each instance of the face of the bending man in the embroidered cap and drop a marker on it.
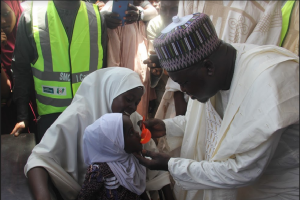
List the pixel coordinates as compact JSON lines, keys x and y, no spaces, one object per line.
{"x":196,"y":82}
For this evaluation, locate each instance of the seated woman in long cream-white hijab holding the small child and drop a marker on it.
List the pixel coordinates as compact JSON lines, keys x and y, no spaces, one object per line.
{"x":59,"y":155}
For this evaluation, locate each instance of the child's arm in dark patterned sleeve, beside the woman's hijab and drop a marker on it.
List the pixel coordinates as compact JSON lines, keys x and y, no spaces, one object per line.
{"x":91,"y":185}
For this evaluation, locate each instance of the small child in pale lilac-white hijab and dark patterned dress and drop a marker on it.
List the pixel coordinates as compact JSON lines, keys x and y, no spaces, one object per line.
{"x":113,"y":172}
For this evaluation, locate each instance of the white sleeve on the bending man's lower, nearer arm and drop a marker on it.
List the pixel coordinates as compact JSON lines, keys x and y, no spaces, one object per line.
{"x":240,"y":171}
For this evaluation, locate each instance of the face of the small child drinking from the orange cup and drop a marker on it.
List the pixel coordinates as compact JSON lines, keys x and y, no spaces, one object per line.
{"x":131,"y":137}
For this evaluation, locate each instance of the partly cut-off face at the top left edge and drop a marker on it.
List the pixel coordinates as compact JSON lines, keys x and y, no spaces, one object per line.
{"x":8,"y":18}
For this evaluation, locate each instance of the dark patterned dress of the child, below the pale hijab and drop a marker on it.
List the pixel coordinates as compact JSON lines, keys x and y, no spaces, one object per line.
{"x":94,"y":185}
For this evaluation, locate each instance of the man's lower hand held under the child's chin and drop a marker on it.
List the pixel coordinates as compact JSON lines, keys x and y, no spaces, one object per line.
{"x":159,"y":160}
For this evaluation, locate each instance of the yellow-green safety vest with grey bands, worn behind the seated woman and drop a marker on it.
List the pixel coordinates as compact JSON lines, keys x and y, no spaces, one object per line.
{"x":62,"y":65}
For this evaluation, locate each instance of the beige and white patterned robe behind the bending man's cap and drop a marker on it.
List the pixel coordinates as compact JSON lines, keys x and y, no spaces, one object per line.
{"x":251,"y":22}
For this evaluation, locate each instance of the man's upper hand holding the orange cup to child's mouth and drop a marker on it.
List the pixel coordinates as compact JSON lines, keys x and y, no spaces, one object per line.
{"x":156,"y":126}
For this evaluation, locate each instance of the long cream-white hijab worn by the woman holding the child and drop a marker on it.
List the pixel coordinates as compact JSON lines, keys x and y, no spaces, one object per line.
{"x":60,"y":151}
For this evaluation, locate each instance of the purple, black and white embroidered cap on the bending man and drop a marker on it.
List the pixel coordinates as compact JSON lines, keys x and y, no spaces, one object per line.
{"x":187,"y":43}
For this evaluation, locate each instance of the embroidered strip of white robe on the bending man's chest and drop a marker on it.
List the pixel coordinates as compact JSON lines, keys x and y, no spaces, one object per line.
{"x":212,"y":129}
